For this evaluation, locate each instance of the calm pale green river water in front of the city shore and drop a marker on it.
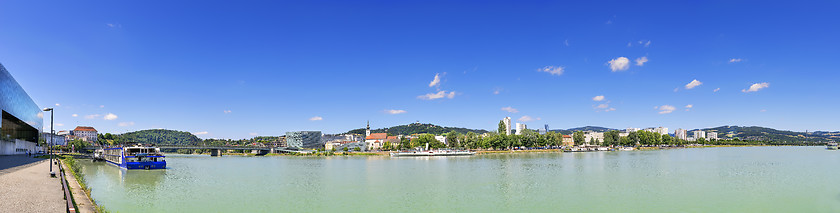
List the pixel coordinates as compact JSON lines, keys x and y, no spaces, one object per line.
{"x":738,"y":179}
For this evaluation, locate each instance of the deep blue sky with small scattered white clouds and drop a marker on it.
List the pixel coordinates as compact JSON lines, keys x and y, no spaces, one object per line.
{"x":234,"y":69}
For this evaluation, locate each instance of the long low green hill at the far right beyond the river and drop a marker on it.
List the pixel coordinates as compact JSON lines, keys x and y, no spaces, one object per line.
{"x":756,"y":133}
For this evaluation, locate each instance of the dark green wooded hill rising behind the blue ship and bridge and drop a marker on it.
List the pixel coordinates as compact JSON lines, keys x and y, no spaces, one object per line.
{"x":159,"y":137}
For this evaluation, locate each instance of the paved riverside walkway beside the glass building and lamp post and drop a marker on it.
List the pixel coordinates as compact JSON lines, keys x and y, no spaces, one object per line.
{"x":27,"y":187}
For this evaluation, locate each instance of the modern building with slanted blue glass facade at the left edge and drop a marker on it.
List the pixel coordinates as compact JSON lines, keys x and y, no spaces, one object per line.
{"x":22,"y":120}
